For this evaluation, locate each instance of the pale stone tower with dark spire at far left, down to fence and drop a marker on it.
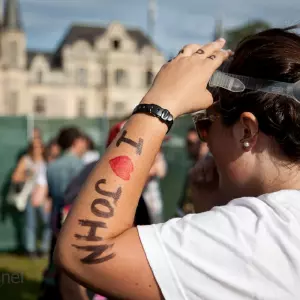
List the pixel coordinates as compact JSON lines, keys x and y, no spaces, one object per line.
{"x":13,"y":59}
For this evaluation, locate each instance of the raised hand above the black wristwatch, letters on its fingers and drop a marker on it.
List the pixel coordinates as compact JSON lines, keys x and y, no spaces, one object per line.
{"x":180,"y":85}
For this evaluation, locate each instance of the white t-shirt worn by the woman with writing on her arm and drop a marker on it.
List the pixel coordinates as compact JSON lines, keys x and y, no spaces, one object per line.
{"x":248,"y":249}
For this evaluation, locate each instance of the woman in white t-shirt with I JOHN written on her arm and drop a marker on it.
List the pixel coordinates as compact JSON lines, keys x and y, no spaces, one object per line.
{"x":248,"y":248}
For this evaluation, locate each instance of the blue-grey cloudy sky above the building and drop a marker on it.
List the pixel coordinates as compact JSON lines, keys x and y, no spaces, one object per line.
{"x":179,"y":22}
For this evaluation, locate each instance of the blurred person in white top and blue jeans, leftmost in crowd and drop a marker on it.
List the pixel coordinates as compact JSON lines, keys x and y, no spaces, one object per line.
{"x":27,"y":170}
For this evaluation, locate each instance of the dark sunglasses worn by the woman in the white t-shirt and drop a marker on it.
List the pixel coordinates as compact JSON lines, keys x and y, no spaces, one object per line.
{"x":203,"y":120}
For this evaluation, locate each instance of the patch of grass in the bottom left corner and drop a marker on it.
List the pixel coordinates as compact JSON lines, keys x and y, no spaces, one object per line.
{"x":20,"y":277}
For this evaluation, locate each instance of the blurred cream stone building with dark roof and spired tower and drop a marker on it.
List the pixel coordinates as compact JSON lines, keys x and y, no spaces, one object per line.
{"x":94,"y":71}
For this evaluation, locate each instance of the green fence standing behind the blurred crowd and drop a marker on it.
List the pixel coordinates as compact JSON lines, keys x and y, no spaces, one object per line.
{"x":14,"y":137}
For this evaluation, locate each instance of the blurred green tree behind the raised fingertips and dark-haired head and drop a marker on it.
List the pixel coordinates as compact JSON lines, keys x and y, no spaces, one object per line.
{"x":234,"y":36}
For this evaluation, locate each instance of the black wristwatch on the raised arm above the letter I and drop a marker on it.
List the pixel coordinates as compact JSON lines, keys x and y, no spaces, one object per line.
{"x":156,"y":111}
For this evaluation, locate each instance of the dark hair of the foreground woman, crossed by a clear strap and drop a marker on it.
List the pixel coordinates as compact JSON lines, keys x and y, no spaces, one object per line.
{"x":272,"y":54}
